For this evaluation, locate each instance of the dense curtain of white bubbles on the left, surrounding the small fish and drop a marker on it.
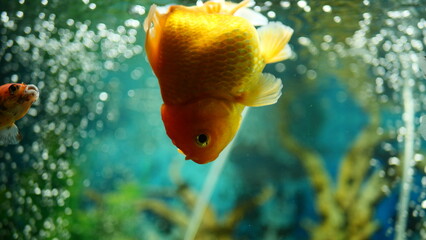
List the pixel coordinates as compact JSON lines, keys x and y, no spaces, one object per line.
{"x":65,"y":57}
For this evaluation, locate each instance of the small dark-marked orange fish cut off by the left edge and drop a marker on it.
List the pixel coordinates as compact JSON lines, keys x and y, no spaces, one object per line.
{"x":15,"y":101}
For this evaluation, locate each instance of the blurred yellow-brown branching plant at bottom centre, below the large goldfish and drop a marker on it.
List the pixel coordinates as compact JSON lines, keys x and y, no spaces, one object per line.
{"x":210,"y":226}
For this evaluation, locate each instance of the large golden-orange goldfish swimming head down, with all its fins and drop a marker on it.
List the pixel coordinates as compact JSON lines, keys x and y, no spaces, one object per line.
{"x":209,"y":60}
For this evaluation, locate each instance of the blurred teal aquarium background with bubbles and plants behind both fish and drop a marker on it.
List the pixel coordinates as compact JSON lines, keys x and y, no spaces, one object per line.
{"x":326,"y":162}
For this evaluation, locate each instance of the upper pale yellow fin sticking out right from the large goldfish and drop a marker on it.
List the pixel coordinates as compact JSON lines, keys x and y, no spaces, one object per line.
{"x":273,"y":40}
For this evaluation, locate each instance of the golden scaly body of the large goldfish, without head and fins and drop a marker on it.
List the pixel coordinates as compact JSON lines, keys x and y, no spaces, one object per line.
{"x":218,"y":61}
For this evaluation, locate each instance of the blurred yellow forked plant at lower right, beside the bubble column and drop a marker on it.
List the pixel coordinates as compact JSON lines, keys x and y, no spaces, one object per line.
{"x":346,"y":212}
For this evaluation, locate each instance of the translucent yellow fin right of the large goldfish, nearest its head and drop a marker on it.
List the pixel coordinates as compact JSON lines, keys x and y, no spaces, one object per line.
{"x":266,"y":91}
